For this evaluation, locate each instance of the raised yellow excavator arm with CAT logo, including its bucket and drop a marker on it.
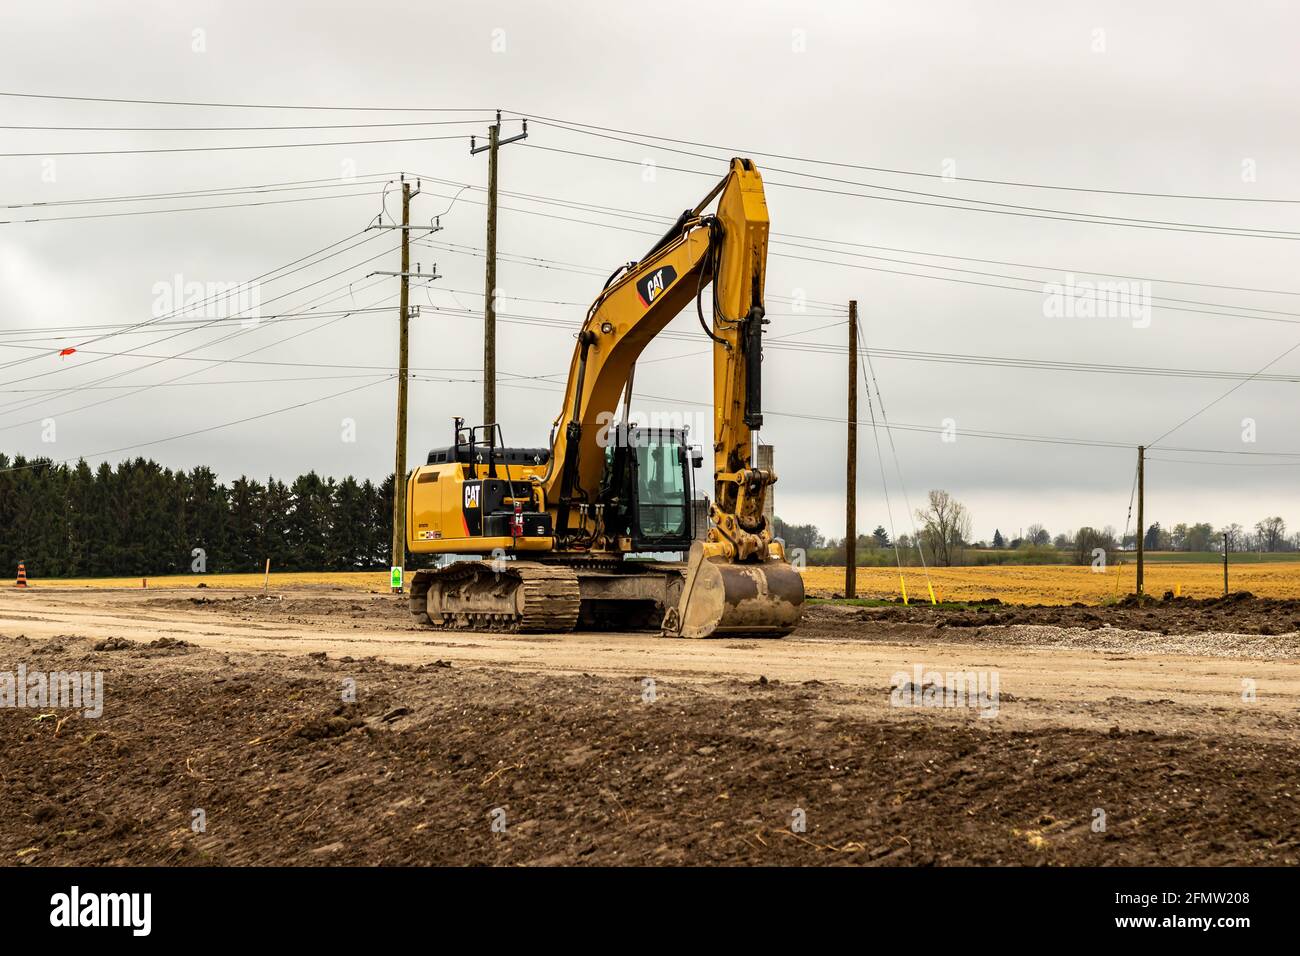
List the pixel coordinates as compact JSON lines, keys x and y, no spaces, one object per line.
{"x":738,"y":579}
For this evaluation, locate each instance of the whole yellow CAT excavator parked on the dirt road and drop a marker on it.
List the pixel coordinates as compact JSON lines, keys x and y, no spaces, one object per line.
{"x":562,"y":533}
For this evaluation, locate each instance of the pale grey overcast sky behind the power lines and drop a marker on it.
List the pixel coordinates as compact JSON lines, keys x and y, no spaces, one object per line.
{"x":1177,"y":98}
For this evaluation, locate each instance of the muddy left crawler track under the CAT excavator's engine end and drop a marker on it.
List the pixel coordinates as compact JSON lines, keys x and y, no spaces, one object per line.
{"x":514,"y":598}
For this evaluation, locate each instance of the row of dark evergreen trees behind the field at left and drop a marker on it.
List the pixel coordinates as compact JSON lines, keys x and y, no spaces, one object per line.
{"x":145,"y":520}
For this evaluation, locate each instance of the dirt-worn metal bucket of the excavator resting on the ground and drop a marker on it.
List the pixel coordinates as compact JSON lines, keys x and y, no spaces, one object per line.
{"x":722,"y":599}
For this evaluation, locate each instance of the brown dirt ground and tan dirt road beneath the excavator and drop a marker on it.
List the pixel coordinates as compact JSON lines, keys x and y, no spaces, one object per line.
{"x":612,"y":749}
